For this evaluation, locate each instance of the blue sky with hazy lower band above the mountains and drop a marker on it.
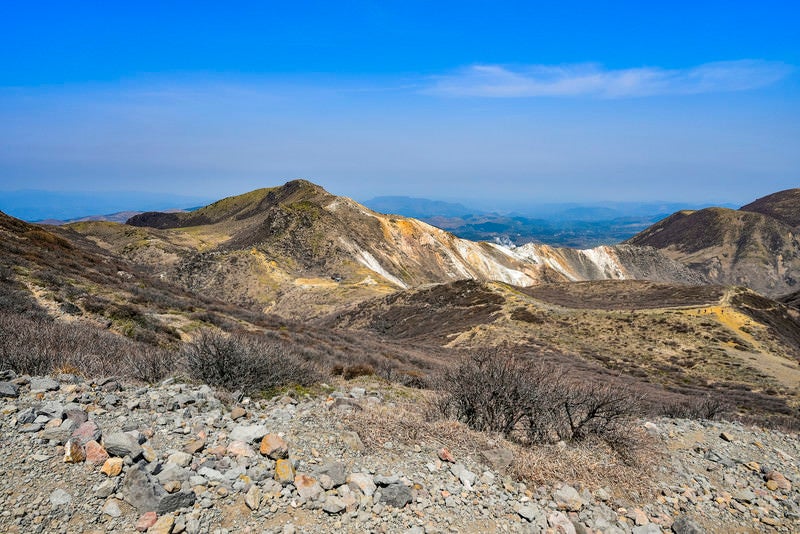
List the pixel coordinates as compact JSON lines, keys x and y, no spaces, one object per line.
{"x":469,"y":101}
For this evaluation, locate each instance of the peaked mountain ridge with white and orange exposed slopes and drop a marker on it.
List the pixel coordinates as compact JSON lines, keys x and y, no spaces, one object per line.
{"x":297,"y":250}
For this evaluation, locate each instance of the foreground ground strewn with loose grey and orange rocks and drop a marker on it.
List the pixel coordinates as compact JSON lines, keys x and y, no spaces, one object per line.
{"x":105,"y":456}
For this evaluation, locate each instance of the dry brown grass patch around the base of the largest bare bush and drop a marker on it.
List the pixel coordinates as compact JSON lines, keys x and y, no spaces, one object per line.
{"x":591,"y":464}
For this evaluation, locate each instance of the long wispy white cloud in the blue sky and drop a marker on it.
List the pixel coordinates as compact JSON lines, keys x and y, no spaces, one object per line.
{"x":497,"y":81}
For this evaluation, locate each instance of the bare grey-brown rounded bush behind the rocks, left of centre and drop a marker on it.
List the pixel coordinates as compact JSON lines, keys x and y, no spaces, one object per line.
{"x":246,"y":362}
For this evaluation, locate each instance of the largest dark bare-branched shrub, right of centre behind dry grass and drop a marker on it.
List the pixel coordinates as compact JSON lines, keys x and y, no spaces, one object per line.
{"x":534,"y":402}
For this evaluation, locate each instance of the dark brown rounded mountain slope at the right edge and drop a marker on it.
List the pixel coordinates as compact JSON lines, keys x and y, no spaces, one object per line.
{"x":757,"y":246}
